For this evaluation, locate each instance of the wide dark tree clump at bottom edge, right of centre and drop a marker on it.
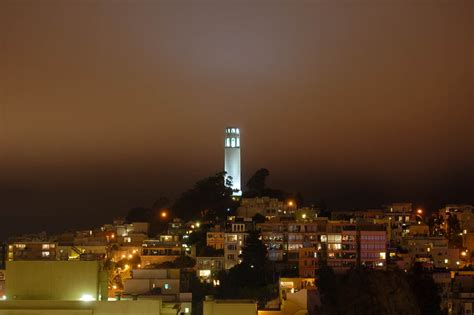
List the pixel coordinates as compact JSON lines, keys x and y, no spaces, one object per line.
{"x":365,"y":291}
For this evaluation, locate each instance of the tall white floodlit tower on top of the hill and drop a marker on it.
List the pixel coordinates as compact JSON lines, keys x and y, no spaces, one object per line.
{"x":232,"y":157}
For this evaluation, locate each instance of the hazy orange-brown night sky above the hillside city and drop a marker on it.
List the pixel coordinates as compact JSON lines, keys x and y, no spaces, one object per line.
{"x":109,"y":105}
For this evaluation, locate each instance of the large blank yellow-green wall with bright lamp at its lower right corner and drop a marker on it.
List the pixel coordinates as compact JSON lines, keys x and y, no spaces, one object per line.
{"x":52,"y":280}
